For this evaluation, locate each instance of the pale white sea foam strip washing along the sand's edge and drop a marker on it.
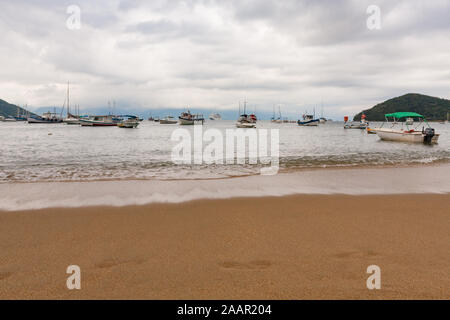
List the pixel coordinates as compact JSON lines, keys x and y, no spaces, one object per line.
{"x":425,"y":179}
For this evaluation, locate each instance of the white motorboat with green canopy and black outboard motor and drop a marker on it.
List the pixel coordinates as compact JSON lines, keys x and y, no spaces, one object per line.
{"x":405,"y":133}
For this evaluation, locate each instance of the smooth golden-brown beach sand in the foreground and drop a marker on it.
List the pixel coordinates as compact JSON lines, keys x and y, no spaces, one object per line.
{"x":294,"y":247}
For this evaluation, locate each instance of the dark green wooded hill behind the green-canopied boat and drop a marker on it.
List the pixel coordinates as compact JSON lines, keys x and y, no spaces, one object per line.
{"x":431,"y":107}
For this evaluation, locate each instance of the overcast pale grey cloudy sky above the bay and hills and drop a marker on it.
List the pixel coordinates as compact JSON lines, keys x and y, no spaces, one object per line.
{"x":212,"y":54}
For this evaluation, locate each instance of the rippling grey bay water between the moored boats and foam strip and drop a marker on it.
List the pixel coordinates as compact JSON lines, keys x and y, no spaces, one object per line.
{"x":73,"y":153}
